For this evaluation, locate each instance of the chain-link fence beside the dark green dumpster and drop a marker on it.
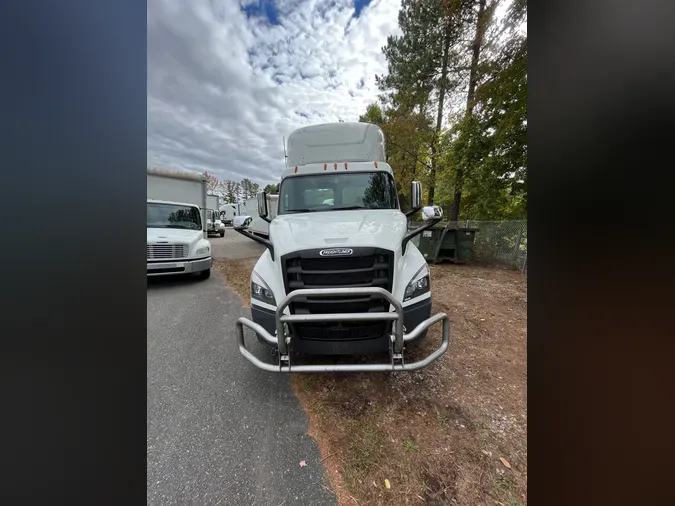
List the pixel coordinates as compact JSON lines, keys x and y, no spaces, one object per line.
{"x":502,"y":242}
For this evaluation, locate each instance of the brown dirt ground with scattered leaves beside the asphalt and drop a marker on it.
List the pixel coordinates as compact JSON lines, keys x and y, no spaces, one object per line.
{"x":453,"y":433}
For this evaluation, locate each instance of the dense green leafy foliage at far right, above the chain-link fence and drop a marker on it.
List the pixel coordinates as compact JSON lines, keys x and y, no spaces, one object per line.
{"x":492,"y":144}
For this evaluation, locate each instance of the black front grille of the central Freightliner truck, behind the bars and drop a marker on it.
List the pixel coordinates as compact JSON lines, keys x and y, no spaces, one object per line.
{"x":365,"y":267}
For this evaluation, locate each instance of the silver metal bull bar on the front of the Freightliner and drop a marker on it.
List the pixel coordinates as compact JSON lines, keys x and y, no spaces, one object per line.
{"x":282,"y":341}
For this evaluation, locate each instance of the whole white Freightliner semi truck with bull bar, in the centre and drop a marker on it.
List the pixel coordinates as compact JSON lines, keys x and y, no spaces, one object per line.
{"x":340,"y":275}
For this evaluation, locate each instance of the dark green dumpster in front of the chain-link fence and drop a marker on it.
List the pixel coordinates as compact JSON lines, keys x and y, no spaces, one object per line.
{"x":447,"y":242}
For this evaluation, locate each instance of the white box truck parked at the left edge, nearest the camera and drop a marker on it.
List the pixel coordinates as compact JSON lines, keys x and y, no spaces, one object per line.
{"x":176,"y":238}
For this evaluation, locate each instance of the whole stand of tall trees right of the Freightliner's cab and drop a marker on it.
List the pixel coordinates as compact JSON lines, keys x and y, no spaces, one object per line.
{"x":483,"y":154}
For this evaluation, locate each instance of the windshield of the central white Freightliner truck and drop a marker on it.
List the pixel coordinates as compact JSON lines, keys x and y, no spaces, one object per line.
{"x":334,"y":192}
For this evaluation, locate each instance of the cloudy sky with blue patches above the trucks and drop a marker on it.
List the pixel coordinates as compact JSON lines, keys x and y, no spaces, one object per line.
{"x":228,"y":78}
